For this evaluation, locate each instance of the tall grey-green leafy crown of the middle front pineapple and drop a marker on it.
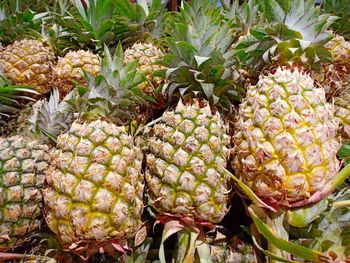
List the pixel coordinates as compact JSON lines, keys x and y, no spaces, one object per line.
{"x":200,"y":63}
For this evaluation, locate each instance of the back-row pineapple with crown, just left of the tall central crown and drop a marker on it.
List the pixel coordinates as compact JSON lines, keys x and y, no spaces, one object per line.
{"x":143,"y":26}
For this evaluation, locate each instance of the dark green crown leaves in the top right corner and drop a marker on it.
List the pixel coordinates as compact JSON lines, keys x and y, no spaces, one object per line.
{"x":340,"y":8}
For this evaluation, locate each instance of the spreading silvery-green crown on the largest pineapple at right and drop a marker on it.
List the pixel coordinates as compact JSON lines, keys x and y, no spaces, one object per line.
{"x":294,"y":36}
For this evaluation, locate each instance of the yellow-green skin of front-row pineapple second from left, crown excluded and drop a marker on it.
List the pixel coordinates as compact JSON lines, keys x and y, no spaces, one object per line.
{"x":95,"y":185}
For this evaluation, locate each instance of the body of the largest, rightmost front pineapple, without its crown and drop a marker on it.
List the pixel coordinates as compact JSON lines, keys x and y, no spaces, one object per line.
{"x":285,"y":138}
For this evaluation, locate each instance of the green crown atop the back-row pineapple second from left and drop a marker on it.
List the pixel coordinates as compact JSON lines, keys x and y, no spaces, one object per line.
{"x":86,"y":24}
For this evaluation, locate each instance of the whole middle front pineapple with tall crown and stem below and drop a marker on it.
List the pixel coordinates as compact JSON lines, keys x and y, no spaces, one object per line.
{"x":188,"y":146}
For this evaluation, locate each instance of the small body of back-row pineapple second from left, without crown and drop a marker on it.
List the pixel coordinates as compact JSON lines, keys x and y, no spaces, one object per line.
{"x":69,"y":69}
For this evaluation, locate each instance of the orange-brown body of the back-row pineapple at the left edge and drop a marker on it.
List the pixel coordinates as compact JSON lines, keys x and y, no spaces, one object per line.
{"x":28,"y":62}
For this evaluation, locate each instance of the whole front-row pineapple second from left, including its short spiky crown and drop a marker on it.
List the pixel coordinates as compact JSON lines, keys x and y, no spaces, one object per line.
{"x":95,"y":185}
